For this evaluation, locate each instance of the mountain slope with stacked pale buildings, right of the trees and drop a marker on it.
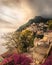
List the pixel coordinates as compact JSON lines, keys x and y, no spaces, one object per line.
{"x":42,"y":32}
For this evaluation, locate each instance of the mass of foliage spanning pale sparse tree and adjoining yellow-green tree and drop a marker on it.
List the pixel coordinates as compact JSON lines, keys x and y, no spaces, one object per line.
{"x":19,"y":40}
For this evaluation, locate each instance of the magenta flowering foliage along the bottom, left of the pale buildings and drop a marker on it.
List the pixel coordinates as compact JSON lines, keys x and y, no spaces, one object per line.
{"x":17,"y":59}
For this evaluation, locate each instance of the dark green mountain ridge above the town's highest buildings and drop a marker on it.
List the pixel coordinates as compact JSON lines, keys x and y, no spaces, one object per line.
{"x":37,"y":19}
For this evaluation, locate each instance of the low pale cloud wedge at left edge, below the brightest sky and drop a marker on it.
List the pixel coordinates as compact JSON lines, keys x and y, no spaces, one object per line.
{"x":5,"y":24}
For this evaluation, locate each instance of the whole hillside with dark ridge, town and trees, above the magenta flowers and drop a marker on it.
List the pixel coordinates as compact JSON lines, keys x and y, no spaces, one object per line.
{"x":34,"y":39}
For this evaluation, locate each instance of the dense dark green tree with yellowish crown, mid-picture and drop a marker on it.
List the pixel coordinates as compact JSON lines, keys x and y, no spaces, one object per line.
{"x":26,"y":39}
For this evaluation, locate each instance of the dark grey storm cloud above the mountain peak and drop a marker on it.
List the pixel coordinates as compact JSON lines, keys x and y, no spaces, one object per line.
{"x":43,"y":7}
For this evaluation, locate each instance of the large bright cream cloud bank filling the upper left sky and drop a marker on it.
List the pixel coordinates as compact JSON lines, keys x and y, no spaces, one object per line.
{"x":16,"y":12}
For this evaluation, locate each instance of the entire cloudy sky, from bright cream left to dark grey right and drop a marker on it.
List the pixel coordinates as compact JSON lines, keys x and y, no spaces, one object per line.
{"x":14,"y":13}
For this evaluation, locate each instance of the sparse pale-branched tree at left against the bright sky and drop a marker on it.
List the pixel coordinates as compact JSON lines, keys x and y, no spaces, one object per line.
{"x":12,"y":41}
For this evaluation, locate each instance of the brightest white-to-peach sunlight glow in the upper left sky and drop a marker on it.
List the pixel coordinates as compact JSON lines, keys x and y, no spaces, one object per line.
{"x":15,"y":15}
